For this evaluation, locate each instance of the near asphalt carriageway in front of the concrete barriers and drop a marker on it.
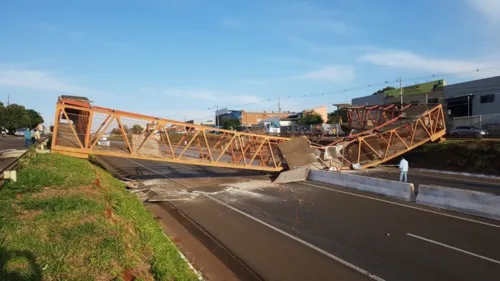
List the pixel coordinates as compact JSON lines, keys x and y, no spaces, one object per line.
{"x":312,"y":231}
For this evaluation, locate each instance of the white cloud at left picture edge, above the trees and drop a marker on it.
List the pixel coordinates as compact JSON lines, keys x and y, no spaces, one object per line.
{"x":44,"y":81}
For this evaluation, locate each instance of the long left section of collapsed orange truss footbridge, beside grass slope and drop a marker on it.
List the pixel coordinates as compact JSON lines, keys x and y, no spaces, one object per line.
{"x":79,"y":129}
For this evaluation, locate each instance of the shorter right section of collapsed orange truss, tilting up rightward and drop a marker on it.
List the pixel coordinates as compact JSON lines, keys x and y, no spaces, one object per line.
{"x":390,"y":140}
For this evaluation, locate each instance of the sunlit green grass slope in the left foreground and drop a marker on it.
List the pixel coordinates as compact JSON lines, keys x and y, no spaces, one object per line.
{"x":65,"y":219}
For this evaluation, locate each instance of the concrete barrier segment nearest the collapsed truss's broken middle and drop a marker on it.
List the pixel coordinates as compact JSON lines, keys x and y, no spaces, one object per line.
{"x":399,"y":190}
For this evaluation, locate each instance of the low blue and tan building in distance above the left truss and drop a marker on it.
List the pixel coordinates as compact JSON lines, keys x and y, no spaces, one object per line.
{"x":247,"y":118}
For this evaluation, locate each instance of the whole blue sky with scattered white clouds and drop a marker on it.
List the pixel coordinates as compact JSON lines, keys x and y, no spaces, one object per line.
{"x":177,"y":58}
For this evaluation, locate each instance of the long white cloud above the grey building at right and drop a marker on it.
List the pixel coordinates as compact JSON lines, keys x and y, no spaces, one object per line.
{"x":411,"y":61}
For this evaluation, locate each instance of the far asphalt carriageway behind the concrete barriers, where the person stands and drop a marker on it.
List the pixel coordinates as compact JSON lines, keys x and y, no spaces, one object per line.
{"x":490,"y":185}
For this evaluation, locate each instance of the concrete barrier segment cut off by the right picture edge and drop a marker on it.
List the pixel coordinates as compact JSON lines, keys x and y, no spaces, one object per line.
{"x":466,"y":201}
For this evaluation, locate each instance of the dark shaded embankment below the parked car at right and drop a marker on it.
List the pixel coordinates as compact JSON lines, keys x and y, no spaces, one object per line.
{"x":462,"y":156}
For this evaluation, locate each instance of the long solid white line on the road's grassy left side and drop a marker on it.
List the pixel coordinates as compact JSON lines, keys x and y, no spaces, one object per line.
{"x":346,"y":263}
